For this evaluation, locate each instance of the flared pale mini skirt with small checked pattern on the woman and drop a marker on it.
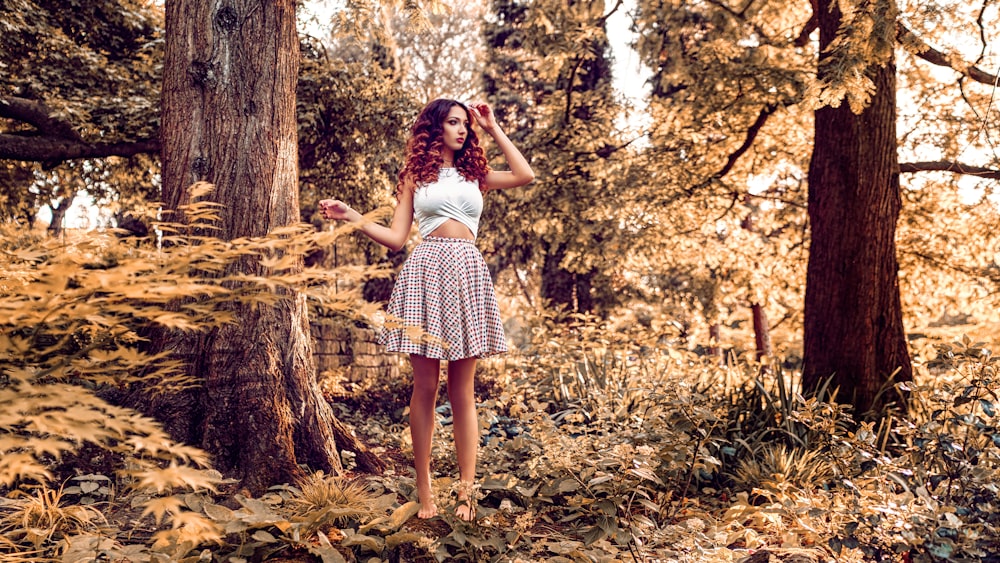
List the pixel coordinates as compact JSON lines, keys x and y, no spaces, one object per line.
{"x":443,"y":305}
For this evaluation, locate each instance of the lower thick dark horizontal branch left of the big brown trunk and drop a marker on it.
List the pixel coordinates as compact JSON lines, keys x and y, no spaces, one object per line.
{"x":57,"y":149}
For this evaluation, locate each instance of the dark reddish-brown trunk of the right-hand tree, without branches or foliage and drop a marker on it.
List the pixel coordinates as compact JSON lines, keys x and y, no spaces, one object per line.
{"x":853,"y":317}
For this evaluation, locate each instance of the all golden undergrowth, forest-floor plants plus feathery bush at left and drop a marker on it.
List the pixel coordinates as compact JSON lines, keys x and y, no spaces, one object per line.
{"x":597,"y":445}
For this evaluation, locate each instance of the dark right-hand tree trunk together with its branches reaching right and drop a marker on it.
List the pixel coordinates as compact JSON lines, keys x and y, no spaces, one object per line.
{"x":853,"y":316}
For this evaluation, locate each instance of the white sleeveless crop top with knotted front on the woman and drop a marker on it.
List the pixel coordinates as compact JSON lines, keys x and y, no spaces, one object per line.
{"x":451,"y":197}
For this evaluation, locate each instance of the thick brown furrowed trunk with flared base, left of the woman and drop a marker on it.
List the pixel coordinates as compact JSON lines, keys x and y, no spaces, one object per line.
{"x":228,"y":118}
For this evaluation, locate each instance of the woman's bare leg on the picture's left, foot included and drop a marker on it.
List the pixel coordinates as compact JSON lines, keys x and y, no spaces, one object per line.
{"x":422,"y":401}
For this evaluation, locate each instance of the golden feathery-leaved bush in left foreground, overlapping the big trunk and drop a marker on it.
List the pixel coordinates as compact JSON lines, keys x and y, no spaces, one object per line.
{"x":73,"y":315}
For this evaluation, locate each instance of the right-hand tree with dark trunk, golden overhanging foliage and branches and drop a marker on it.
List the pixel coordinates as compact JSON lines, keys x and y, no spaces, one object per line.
{"x":853,"y":328}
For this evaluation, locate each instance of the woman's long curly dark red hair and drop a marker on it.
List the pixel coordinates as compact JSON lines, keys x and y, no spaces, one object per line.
{"x":423,"y":150}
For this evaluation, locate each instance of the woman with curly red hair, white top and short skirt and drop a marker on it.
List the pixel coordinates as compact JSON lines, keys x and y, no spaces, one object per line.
{"x":444,"y":298}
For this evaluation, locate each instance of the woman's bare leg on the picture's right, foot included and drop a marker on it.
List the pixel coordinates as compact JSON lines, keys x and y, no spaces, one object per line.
{"x":461,"y":393}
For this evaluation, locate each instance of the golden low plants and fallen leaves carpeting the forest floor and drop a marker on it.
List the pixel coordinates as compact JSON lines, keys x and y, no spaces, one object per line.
{"x":624,"y":450}
